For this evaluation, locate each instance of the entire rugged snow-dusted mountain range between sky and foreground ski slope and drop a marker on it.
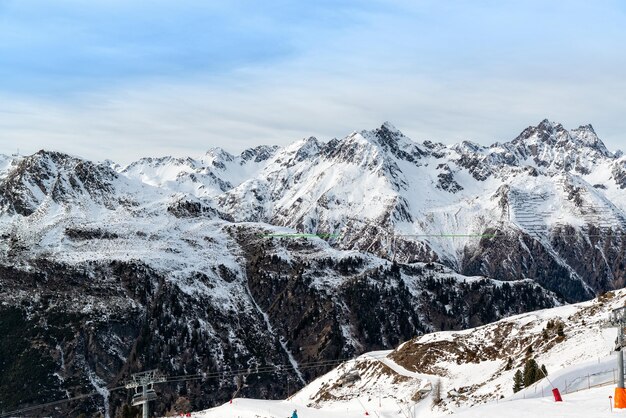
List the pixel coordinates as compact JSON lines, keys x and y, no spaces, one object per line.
{"x":168,"y":263}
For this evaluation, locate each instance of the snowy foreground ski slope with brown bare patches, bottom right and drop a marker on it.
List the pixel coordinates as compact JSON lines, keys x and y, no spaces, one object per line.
{"x":582,"y":365}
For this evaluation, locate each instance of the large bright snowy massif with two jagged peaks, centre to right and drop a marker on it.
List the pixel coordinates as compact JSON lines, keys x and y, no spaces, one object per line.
{"x":380,"y":192}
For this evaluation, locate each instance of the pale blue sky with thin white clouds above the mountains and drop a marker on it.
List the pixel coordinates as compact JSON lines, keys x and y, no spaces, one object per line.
{"x":123,"y":79}
